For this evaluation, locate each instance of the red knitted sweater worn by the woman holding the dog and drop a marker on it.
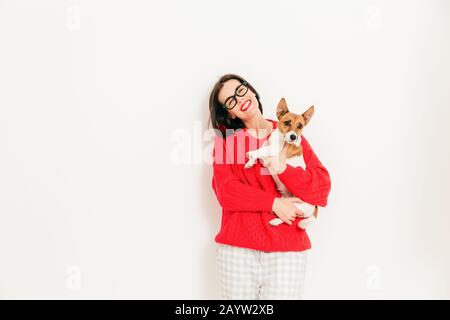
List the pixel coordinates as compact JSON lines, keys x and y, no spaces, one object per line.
{"x":246,"y":196}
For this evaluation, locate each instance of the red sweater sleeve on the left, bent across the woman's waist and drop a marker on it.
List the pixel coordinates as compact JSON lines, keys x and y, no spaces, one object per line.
{"x":231,"y":192}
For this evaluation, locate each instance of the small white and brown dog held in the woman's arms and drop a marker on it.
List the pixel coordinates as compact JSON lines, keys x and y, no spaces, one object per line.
{"x":288,"y":134}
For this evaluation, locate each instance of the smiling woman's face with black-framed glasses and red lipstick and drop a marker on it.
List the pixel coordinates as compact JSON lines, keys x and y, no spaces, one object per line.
{"x":245,"y":107}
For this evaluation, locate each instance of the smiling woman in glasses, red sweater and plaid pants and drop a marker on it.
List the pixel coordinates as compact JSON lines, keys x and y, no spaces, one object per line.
{"x":256,"y":260}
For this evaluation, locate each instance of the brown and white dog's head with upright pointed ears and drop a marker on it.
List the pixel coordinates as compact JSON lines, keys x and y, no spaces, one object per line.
{"x":290,"y":124}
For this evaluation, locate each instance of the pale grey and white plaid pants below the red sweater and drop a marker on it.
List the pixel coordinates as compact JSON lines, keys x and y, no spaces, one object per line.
{"x":252,"y":274}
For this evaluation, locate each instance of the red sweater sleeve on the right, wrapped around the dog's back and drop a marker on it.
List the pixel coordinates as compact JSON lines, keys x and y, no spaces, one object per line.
{"x":311,"y":184}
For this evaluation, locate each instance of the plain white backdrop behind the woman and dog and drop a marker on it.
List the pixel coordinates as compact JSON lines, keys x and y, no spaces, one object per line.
{"x":105,"y":189}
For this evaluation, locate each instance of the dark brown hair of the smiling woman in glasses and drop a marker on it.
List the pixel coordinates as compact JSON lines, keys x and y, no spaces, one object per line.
{"x":219,"y":117}
